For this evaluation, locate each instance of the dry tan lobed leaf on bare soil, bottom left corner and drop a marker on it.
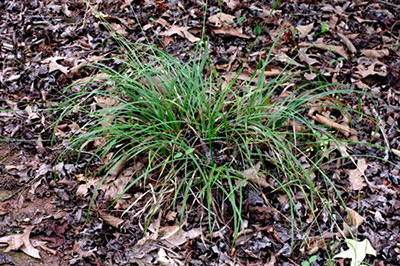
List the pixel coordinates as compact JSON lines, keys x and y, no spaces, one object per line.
{"x":22,"y":242}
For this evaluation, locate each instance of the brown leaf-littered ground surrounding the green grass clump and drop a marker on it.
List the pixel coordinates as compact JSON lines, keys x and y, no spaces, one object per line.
{"x":47,"y":45}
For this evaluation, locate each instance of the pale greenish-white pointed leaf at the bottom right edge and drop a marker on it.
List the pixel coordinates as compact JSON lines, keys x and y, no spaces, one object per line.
{"x":357,"y":251}
